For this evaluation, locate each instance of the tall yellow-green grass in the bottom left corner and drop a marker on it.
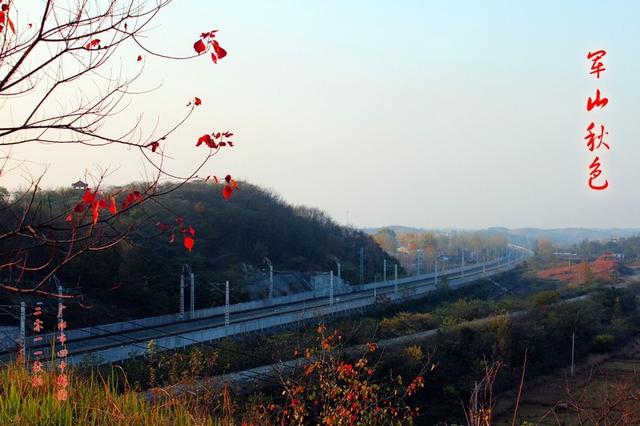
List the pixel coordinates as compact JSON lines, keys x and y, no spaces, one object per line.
{"x":92,"y":401}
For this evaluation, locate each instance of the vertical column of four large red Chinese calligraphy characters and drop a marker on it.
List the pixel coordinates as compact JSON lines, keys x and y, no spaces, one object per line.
{"x":595,"y":134}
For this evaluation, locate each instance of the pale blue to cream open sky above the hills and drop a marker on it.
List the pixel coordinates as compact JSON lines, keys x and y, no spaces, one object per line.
{"x":450,"y":114}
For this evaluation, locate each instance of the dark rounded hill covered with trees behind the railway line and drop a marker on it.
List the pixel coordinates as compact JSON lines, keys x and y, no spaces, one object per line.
{"x":232,"y":238}
